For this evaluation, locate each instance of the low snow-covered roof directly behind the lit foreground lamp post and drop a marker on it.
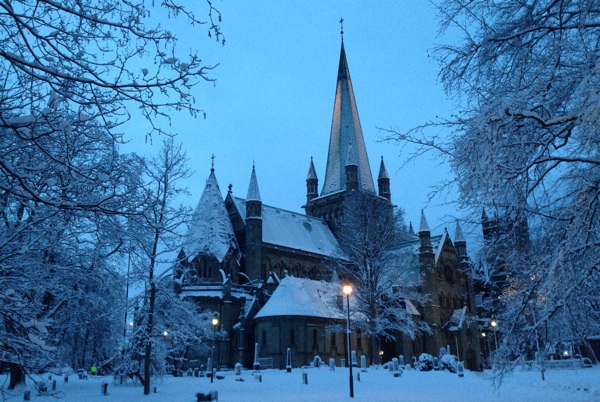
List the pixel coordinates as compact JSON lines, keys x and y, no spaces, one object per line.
{"x":303,"y":297}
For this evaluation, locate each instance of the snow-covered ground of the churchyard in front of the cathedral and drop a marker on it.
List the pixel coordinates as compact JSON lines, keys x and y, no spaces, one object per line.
{"x":324,"y":385}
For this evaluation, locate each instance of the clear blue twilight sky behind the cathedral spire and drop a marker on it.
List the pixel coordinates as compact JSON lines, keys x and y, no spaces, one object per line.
{"x":272,"y":102}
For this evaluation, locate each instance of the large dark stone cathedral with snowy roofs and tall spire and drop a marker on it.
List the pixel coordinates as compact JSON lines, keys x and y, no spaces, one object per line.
{"x":271,"y":275}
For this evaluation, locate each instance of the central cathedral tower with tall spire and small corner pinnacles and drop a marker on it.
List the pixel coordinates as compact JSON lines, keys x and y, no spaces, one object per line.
{"x":347,"y":170}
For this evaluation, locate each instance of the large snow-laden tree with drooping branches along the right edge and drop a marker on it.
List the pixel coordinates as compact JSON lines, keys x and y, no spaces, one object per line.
{"x":526,"y":147}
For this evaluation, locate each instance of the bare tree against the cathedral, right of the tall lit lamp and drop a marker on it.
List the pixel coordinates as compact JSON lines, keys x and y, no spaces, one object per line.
{"x":369,"y":234}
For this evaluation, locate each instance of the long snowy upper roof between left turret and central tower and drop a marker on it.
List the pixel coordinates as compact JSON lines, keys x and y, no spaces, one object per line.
{"x":294,"y":230}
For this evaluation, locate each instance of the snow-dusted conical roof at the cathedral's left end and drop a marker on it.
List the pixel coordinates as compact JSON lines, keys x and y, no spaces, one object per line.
{"x":210,"y":231}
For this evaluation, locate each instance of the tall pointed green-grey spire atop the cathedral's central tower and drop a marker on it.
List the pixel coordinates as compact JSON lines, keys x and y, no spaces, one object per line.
{"x":345,"y":132}
